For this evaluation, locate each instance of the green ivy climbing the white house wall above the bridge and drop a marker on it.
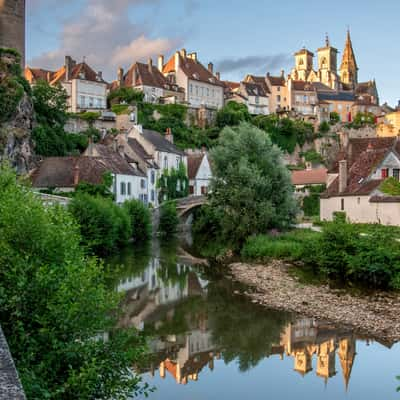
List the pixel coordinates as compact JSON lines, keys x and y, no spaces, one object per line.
{"x":173,"y":184}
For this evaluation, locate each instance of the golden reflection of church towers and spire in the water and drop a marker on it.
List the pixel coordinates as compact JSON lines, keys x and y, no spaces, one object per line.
{"x":306,"y":338}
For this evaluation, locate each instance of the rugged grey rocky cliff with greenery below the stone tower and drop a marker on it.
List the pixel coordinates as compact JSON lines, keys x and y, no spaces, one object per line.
{"x":16,"y":115}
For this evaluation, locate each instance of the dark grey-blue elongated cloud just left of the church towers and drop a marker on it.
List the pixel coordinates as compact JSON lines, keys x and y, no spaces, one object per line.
{"x":254,"y":64}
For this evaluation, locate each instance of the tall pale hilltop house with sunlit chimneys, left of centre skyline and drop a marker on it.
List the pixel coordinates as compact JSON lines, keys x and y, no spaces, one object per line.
{"x":201,"y":86}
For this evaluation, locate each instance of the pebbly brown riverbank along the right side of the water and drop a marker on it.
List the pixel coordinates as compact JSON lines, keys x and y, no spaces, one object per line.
{"x":273,"y":286}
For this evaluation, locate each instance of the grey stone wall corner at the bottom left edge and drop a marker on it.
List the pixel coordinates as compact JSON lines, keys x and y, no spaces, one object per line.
{"x":10,"y":385}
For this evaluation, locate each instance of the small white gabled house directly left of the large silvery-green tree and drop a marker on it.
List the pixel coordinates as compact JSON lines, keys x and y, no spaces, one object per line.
{"x":199,"y":172}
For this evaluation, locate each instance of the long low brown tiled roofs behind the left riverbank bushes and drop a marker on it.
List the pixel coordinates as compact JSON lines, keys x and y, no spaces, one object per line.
{"x":59,"y":171}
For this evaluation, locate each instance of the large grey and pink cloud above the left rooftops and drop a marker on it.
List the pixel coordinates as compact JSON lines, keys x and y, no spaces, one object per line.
{"x":104,"y":34}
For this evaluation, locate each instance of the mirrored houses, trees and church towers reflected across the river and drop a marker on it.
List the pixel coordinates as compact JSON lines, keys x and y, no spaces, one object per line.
{"x":194,"y":322}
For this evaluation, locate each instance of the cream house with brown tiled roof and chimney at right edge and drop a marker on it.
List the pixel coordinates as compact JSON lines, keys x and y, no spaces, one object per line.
{"x":356,"y":187}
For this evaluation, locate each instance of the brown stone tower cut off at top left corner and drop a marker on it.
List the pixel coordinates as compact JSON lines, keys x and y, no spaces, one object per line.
{"x":12,"y":26}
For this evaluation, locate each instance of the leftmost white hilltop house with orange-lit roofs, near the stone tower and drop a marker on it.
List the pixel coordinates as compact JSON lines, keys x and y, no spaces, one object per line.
{"x":86,"y":89}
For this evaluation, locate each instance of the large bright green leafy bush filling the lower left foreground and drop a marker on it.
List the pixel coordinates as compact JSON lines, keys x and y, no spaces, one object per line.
{"x":55,"y":306}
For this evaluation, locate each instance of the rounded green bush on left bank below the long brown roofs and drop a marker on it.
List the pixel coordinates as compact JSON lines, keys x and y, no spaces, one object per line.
{"x":104,"y":225}
